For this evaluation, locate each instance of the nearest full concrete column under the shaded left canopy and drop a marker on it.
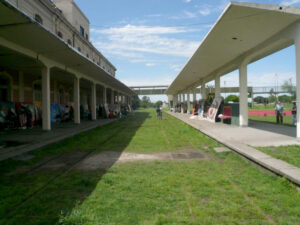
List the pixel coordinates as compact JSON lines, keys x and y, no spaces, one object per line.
{"x":46,"y":98}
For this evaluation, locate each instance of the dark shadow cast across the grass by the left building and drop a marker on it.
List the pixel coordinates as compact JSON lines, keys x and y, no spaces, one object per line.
{"x":49,"y":188}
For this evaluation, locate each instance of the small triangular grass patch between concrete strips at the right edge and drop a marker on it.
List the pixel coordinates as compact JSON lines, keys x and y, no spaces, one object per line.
{"x":290,"y":154}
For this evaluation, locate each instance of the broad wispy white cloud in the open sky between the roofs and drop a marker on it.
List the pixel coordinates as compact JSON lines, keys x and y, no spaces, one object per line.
{"x":132,"y":41}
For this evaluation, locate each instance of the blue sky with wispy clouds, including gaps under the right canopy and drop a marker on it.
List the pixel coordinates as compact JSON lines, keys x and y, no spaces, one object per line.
{"x":149,"y":41}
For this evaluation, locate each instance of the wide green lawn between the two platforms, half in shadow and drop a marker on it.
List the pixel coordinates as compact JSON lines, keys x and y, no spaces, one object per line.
{"x":221,"y":189}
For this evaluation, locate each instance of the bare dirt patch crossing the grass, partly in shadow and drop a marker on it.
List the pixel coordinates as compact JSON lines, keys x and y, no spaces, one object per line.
{"x":106,"y":159}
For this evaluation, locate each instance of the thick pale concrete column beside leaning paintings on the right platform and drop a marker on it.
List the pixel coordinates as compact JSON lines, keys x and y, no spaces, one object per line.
{"x":243,"y":95}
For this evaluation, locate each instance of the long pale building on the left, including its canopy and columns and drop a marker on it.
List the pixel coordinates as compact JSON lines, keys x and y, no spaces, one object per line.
{"x":47,"y":60}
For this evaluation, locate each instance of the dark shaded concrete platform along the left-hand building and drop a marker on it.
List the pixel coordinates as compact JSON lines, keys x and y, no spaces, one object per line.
{"x":28,"y":140}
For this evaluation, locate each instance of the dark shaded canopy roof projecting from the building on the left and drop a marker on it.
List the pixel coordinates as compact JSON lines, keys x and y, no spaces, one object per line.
{"x":21,"y":29}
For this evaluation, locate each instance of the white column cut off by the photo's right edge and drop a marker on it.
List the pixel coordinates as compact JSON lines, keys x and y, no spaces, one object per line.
{"x":297,"y":51}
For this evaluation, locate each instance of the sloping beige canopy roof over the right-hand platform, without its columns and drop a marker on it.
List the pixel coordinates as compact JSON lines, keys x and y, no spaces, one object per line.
{"x":241,"y":28}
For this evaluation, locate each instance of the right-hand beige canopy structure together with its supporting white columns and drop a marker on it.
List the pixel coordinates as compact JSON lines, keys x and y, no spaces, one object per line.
{"x":244,"y":33}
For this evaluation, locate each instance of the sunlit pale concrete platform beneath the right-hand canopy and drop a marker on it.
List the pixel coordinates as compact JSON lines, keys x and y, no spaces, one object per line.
{"x":239,"y":139}
